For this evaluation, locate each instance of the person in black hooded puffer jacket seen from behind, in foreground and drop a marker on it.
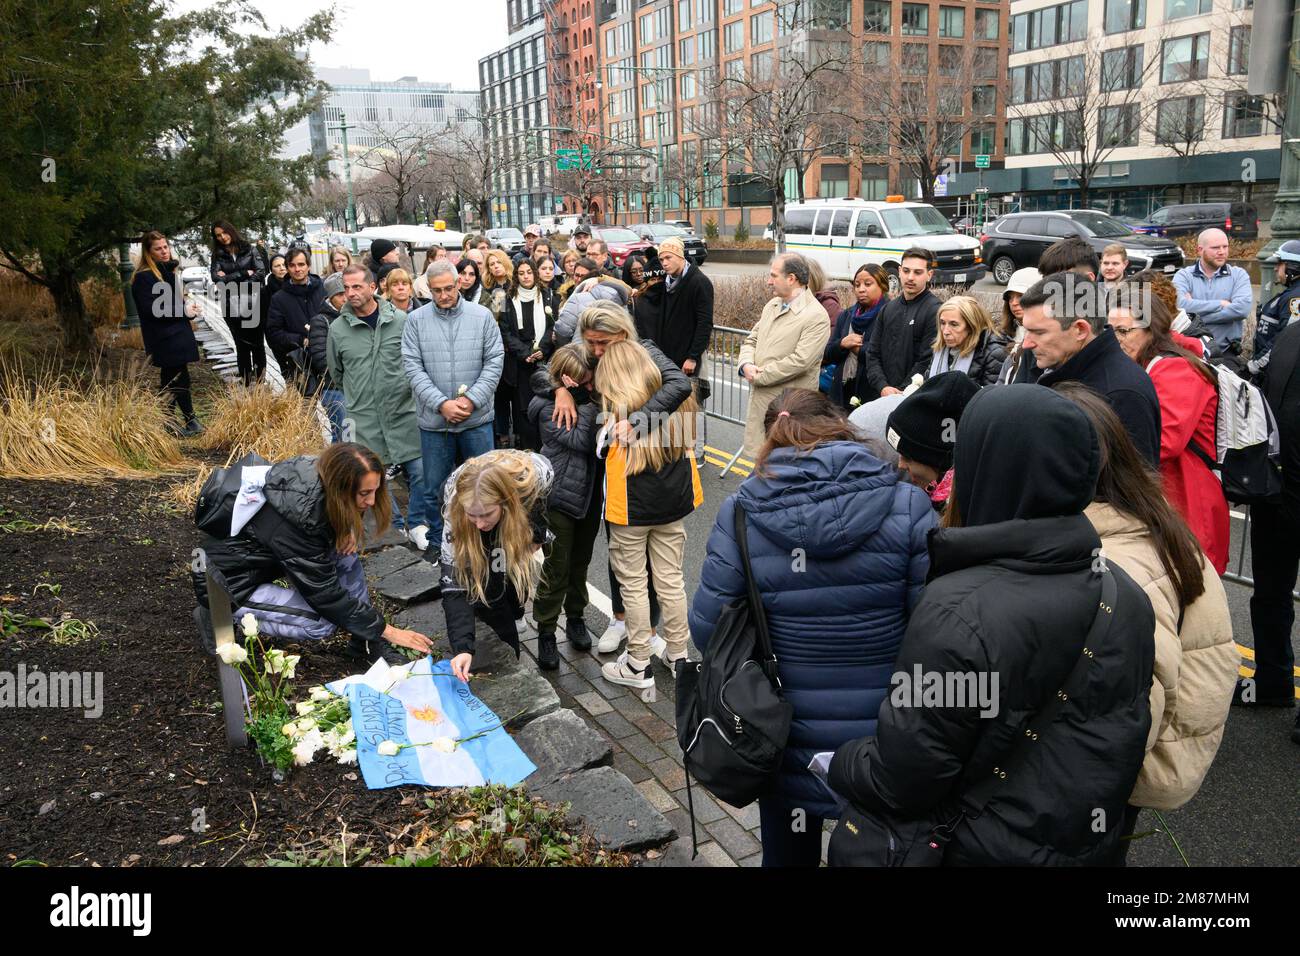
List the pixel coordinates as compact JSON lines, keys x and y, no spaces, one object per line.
{"x":1012,"y":604}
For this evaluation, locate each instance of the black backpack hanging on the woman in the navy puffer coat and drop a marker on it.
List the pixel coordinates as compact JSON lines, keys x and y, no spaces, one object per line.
{"x":733,"y":723}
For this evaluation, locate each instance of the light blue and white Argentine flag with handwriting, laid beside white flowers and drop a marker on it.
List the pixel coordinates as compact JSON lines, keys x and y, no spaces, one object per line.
{"x":430,"y":713}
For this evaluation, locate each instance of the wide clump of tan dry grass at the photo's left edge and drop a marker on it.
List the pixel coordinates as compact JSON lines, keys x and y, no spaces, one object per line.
{"x":54,"y":426}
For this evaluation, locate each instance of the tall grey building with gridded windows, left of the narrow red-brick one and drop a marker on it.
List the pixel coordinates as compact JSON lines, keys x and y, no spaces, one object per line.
{"x":515,"y":111}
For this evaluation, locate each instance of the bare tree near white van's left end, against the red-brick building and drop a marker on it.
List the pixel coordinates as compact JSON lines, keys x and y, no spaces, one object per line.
{"x":775,"y":120}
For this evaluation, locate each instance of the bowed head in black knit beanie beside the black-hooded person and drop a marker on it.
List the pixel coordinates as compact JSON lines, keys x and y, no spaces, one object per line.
{"x":924,"y":431}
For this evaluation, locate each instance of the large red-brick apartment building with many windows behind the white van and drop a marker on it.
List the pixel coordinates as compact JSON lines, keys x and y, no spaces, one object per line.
{"x":660,"y":58}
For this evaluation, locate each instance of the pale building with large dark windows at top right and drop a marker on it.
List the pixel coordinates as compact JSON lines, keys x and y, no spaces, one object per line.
{"x":1156,"y":90}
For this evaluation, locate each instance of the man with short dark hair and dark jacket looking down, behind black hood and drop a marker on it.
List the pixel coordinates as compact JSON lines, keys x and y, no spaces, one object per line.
{"x":1067,"y":332}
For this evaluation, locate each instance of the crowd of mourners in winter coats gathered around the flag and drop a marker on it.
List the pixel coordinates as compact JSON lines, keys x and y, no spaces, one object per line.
{"x":935,"y":491}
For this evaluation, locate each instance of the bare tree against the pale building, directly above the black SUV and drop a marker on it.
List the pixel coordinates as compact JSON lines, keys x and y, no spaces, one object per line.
{"x":1084,"y":106}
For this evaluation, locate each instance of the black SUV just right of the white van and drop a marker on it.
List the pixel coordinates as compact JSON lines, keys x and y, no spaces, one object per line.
{"x":1017,"y":241}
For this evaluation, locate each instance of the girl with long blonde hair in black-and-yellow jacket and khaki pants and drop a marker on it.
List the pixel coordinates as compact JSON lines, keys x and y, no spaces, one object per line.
{"x":651,"y":486}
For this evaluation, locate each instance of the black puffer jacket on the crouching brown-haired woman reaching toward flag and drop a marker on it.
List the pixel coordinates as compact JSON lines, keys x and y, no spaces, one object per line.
{"x":289,"y":538}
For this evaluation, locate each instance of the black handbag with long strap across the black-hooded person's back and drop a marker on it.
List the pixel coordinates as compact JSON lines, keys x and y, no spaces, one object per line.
{"x":879,"y":838}
